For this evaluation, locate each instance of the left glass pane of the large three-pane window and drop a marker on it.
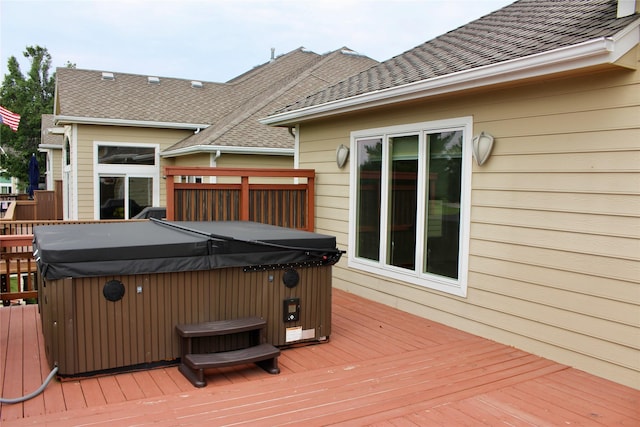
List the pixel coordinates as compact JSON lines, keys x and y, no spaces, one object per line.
{"x":369,"y":152}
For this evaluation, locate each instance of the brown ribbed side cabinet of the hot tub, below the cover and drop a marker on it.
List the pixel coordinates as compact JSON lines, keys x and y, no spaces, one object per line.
{"x":85,"y":331}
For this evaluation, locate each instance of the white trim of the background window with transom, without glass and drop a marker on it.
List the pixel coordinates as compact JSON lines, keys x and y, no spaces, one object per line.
{"x":130,"y":171}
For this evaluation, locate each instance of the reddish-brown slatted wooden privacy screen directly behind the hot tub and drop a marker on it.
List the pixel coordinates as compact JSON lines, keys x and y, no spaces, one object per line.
{"x":268,"y":196}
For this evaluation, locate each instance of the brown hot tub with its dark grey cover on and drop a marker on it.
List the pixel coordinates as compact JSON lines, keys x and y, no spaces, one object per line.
{"x":111,"y":294}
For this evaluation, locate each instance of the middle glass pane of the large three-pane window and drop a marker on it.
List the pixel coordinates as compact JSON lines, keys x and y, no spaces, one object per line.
{"x":403,"y":192}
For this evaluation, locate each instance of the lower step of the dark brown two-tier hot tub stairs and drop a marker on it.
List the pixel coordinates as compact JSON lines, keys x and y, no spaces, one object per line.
{"x":264,"y":355}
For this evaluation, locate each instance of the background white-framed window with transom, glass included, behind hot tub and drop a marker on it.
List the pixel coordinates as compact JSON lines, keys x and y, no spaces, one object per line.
{"x":127,"y":179}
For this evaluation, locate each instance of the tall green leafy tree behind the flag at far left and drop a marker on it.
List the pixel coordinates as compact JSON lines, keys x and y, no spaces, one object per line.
{"x":31,"y":96}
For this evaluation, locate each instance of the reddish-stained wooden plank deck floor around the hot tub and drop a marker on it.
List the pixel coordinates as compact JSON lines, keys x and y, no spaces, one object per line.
{"x":381,"y":367}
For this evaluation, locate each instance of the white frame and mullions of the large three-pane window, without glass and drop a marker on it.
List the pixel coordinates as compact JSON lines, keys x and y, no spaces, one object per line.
{"x":381,"y":267}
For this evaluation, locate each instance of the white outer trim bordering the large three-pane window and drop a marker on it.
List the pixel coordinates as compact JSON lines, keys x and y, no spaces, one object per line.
{"x":452,"y":286}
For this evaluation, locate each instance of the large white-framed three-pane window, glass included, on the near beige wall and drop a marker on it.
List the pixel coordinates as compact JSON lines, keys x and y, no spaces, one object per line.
{"x":409,"y":206}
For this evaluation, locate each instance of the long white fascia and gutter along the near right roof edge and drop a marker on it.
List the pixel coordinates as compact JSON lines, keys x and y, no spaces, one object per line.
{"x":604,"y":50}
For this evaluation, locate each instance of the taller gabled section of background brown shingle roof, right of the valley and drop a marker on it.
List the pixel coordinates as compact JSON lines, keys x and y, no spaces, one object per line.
{"x":274,"y":87}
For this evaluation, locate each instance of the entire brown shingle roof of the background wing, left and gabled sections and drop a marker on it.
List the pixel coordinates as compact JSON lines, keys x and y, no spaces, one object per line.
{"x":232,"y":109}
